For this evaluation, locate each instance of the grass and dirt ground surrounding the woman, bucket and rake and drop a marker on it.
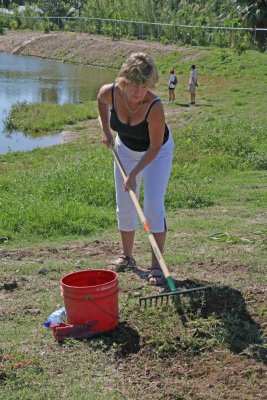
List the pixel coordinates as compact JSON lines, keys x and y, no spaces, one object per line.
{"x":57,"y":216}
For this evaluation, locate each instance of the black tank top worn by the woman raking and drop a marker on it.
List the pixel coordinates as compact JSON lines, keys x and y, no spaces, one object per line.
{"x":135,"y":137}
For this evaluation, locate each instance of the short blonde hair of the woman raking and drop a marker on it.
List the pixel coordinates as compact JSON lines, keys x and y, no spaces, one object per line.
{"x":139,"y":68}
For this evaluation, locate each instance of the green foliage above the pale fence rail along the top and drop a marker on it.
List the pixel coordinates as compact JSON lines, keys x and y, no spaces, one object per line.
{"x":227,"y":13}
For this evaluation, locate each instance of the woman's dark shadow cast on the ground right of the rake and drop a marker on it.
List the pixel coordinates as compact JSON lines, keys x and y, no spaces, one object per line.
{"x":243,"y":334}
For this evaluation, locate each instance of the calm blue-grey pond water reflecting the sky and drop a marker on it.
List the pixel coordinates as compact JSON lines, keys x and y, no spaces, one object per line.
{"x":32,"y":80}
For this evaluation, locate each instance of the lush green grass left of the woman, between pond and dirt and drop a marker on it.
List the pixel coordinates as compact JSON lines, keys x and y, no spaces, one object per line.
{"x":68,"y":193}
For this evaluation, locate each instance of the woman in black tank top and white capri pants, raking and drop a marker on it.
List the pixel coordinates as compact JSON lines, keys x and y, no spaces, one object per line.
{"x":145,"y":147}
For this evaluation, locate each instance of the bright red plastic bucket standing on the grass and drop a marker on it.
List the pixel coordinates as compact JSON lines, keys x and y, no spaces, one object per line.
{"x":91,"y":296}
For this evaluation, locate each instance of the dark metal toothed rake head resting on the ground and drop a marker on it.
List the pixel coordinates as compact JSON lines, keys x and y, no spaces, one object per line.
{"x":168,"y":298}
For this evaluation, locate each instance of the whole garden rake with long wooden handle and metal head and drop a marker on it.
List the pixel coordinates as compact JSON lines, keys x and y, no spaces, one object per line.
{"x":157,"y":299}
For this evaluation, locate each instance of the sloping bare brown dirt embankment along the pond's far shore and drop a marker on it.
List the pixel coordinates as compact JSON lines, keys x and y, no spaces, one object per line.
{"x":81,"y":48}
